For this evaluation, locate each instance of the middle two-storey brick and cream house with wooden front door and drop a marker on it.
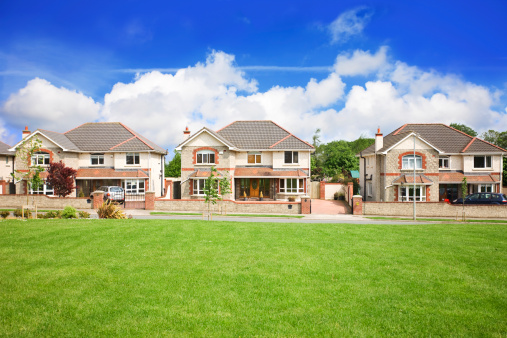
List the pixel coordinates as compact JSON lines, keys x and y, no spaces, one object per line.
{"x":261,"y":158}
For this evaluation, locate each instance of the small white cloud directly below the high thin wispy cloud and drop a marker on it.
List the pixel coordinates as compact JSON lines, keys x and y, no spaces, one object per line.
{"x":360,"y":62}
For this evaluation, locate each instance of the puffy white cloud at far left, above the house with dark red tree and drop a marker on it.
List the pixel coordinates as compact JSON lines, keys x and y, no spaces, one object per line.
{"x":42,"y":105}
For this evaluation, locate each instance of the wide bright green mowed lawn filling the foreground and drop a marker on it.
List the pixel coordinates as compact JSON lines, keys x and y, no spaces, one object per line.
{"x":199,"y":278}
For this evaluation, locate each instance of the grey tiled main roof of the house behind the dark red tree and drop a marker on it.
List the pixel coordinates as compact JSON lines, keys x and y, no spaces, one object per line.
{"x":110,"y":136}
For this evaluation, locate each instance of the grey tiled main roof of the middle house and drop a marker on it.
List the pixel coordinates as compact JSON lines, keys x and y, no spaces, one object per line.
{"x":261,"y":135}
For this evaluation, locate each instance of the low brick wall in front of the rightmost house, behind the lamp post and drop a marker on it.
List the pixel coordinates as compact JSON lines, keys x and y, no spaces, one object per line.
{"x":433,"y":209}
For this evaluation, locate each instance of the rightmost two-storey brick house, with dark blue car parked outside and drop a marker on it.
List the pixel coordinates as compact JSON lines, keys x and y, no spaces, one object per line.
{"x":443,"y":156}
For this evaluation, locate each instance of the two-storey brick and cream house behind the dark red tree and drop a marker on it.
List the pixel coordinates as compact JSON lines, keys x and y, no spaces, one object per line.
{"x":106,"y":153}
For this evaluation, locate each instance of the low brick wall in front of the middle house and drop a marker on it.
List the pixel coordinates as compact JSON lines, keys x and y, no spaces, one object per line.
{"x":230,"y":206}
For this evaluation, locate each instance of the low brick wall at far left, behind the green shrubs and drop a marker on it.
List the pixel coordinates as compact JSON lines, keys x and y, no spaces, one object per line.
{"x":44,"y":202}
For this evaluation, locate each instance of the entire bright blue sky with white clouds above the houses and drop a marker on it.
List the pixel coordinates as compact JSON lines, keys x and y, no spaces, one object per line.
{"x":346,"y":67}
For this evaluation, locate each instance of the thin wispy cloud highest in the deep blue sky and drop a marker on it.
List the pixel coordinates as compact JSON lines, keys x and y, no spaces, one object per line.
{"x":349,"y":23}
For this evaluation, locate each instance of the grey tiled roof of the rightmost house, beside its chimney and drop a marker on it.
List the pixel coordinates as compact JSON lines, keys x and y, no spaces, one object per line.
{"x":439,"y":135}
